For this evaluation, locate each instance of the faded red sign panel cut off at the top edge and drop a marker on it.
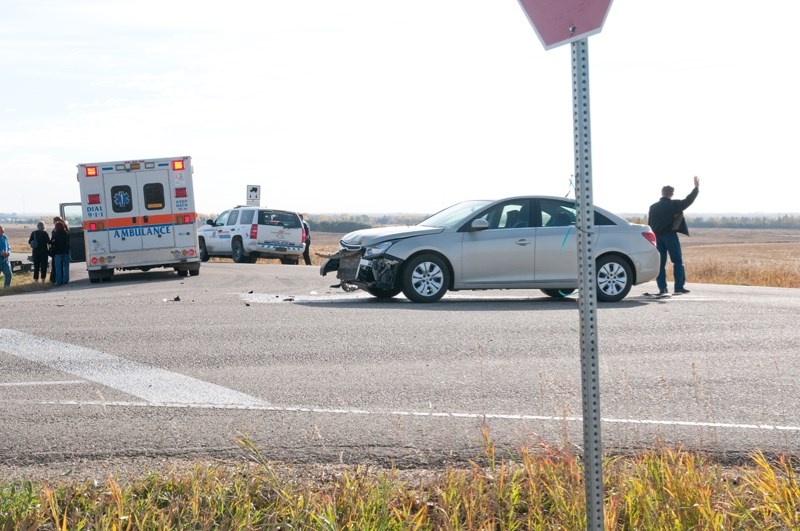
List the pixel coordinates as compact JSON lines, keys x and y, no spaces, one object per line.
{"x":558,"y":22}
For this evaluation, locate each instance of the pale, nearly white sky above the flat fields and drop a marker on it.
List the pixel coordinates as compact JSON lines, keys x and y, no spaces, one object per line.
{"x":370,"y":106}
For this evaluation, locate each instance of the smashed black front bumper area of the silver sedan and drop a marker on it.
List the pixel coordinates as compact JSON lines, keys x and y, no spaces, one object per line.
{"x":354,"y":272}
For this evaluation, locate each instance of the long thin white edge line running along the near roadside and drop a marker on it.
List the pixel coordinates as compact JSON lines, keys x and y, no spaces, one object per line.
{"x":431,"y":414}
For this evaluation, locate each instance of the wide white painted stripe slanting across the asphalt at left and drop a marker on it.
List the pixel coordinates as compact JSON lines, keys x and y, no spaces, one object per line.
{"x":148,"y":383}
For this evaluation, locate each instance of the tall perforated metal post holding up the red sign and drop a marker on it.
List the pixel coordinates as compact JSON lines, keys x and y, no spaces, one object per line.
{"x":587,"y":291}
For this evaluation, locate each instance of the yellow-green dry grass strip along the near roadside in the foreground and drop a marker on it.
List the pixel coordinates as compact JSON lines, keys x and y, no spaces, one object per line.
{"x":542,"y":489}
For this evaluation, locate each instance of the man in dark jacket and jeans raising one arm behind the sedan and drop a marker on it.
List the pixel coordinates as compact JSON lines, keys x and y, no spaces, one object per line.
{"x":666,"y":219}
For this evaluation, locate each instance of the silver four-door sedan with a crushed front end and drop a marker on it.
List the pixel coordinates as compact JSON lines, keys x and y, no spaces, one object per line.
{"x":512,"y":243}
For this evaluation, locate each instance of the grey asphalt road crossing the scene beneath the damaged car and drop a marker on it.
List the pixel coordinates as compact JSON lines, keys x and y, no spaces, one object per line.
{"x":153,"y":365}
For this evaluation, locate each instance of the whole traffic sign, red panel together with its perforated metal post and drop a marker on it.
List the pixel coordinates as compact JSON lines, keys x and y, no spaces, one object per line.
{"x":558,"y":22}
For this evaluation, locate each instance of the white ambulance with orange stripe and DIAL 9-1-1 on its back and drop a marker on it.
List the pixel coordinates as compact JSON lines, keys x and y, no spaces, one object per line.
{"x":134,"y":215}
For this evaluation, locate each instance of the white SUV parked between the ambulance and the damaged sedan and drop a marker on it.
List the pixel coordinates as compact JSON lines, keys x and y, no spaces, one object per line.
{"x":247,"y":233}
